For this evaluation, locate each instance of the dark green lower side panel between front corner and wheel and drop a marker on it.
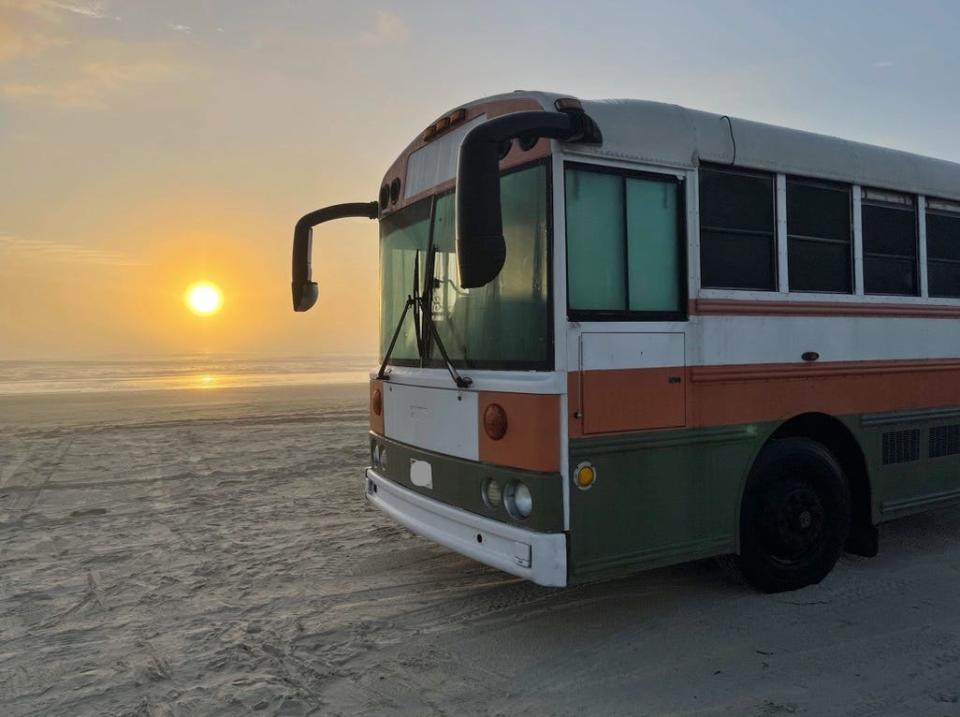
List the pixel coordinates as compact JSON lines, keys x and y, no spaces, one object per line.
{"x":660,"y":497}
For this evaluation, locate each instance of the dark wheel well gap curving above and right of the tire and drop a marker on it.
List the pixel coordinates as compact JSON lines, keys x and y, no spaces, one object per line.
{"x":837,"y":438}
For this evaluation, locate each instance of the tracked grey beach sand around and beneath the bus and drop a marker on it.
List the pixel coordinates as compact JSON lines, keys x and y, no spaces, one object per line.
{"x":190,"y":552}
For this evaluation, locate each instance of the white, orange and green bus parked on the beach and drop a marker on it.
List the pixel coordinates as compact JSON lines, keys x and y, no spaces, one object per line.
{"x":617,"y":335}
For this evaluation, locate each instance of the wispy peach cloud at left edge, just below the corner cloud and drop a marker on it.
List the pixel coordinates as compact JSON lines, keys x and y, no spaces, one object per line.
{"x":90,"y":87}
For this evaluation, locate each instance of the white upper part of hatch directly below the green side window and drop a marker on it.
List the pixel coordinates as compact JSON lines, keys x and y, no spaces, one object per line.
{"x":631,"y":350}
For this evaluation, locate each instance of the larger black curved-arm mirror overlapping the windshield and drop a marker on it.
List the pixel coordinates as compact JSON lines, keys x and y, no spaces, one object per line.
{"x":481,"y":249}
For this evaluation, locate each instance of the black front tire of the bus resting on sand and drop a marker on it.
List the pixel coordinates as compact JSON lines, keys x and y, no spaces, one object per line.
{"x":795,"y":516}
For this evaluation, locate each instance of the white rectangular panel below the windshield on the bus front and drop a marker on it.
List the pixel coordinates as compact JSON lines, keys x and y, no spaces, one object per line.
{"x":435,"y":419}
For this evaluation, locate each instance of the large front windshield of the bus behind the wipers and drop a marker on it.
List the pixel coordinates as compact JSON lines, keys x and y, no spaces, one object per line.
{"x":503,"y":325}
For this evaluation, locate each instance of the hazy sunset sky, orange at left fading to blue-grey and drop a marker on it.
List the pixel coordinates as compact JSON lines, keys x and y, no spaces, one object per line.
{"x":148,"y":145}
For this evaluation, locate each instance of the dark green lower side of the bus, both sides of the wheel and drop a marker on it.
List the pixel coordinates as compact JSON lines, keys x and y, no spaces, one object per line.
{"x":664,"y":497}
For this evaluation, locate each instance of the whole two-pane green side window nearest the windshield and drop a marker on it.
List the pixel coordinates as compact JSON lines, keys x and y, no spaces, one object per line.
{"x":623,"y":243}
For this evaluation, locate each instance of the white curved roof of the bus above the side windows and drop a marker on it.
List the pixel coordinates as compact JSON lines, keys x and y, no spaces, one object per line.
{"x":657,"y":133}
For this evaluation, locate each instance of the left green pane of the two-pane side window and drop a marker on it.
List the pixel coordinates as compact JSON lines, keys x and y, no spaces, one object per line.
{"x":596,"y":271}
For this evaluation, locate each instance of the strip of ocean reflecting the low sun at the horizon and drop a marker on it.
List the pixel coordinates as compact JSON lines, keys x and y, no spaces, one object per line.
{"x":199,"y":372}
